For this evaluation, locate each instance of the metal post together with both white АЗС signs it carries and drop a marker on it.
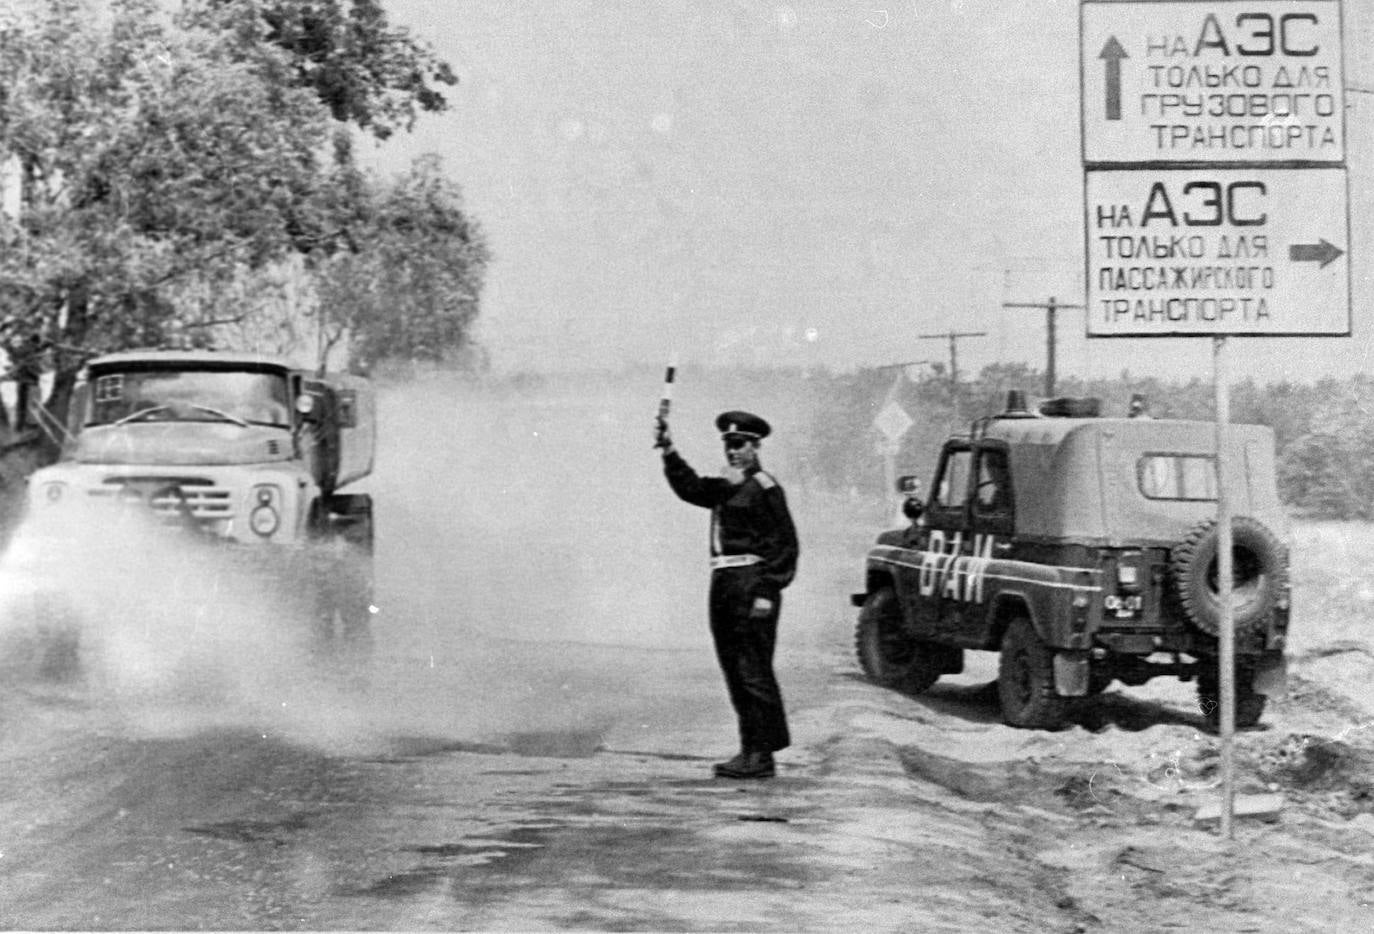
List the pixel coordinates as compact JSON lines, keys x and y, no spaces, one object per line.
{"x":1215,"y":200}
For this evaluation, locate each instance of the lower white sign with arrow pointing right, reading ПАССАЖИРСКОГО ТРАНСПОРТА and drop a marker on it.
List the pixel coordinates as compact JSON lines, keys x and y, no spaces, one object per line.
{"x":1207,"y":252}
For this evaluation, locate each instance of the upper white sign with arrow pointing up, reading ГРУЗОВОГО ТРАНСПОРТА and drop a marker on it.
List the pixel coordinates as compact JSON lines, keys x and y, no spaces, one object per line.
{"x":1213,"y":82}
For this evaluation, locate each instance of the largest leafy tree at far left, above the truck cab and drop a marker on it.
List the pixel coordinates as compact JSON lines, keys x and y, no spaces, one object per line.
{"x":150,"y":156}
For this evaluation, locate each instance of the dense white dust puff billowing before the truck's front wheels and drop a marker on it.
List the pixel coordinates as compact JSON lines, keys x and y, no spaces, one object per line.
{"x":149,"y":620}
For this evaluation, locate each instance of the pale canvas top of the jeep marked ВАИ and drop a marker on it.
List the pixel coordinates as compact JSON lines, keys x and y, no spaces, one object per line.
{"x":1083,"y":480}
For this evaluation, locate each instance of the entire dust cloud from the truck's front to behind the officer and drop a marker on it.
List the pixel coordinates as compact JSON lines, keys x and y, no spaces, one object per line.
{"x":532,"y":575}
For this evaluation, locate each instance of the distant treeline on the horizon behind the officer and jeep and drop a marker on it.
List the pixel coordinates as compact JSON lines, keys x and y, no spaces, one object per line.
{"x":1322,"y":431}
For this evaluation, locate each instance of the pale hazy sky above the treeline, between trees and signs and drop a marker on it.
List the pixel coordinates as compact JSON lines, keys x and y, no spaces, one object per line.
{"x":803,"y":183}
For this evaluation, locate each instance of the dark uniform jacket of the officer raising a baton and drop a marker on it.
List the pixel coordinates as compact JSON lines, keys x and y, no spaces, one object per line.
{"x":748,"y":519}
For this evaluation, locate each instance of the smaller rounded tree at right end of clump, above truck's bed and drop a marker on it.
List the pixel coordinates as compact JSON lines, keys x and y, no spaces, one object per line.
{"x":410,"y":289}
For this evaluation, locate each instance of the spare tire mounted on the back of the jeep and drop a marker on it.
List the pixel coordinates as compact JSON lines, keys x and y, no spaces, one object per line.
{"x":1259,"y":571}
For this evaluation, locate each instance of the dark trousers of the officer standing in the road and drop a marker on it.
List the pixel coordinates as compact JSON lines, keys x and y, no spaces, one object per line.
{"x":745,"y":649}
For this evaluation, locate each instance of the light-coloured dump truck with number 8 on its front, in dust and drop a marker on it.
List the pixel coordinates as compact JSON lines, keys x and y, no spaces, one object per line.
{"x":243,"y":457}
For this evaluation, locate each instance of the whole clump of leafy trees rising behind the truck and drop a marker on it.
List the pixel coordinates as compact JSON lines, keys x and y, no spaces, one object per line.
{"x":178,"y":178}
